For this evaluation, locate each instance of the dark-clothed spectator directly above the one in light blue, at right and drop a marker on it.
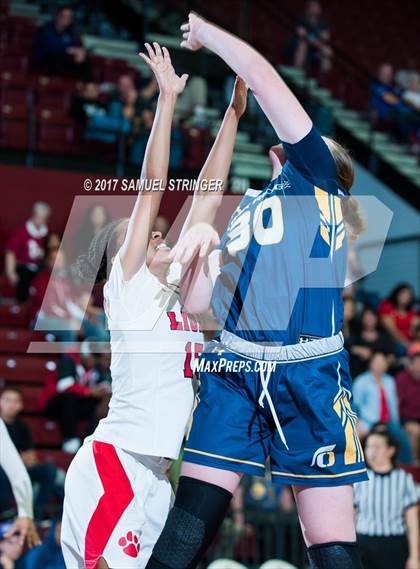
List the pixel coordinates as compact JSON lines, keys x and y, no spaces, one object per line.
{"x":369,"y":339}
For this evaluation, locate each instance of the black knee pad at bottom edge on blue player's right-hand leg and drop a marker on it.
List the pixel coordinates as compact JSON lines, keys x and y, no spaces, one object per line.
{"x":335,"y":555}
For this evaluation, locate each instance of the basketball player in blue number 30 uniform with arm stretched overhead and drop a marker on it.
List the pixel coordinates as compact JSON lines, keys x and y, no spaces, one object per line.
{"x":275,"y":386}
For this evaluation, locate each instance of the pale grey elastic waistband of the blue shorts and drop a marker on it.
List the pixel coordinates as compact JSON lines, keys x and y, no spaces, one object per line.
{"x":295,"y":352}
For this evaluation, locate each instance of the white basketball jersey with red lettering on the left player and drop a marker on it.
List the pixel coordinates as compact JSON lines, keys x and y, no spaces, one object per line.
{"x":154,"y":345}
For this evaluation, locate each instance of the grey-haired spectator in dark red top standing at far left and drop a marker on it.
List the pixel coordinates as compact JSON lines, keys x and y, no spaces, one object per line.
{"x":25,"y":250}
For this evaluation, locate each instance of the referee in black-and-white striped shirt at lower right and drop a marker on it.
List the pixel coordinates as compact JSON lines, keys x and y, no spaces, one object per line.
{"x":387,"y":511}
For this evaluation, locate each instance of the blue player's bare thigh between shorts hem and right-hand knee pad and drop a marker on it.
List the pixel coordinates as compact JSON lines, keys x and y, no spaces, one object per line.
{"x":326,"y":514}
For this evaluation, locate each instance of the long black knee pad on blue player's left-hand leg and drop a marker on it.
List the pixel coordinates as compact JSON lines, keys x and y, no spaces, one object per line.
{"x":191,"y":526}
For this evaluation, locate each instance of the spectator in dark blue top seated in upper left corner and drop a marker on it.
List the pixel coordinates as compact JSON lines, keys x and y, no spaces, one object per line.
{"x":58,"y":49}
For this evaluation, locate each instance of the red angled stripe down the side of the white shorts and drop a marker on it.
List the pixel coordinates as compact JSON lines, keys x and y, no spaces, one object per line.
{"x":112,"y":504}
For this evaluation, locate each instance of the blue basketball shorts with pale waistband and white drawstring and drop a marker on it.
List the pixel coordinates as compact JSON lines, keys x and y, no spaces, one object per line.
{"x":288,"y":406}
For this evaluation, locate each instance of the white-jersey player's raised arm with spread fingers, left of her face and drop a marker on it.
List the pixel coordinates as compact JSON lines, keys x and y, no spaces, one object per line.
{"x":155,"y":165}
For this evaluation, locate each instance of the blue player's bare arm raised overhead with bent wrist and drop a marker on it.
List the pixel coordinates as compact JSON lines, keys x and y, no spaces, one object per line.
{"x":283,"y":110}
